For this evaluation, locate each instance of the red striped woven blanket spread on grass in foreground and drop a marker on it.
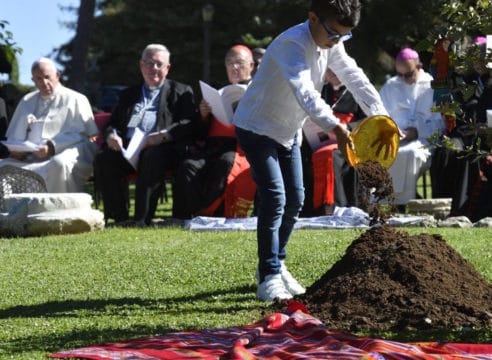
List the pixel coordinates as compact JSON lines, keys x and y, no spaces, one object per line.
{"x":278,"y":336}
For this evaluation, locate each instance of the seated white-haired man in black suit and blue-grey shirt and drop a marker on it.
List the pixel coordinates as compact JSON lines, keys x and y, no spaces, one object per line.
{"x":165,"y":113}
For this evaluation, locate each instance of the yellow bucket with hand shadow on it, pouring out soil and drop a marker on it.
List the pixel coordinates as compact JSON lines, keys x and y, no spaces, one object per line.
{"x":376,"y":138}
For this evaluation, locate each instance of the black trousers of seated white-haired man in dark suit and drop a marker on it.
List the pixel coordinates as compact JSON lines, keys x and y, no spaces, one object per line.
{"x":112,"y":170}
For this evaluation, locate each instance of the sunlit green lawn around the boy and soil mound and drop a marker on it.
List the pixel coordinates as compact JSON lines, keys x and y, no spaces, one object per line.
{"x":61,"y":292}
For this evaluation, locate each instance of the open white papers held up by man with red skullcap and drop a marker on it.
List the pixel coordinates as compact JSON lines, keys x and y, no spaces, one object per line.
{"x":223,"y":102}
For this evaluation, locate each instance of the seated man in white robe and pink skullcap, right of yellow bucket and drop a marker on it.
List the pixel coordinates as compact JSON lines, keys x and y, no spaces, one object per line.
{"x":408,"y":97}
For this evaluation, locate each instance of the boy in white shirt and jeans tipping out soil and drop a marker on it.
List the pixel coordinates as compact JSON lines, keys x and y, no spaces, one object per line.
{"x":285,"y":90}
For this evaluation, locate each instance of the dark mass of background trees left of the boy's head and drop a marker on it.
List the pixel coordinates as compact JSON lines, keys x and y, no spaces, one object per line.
{"x":112,"y":56}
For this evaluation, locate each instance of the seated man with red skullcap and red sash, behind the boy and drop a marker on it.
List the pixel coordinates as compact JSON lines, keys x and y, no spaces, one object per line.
{"x":202,"y":179}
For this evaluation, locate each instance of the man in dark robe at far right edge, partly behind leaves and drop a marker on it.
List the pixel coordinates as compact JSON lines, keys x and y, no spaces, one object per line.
{"x":454,"y":173}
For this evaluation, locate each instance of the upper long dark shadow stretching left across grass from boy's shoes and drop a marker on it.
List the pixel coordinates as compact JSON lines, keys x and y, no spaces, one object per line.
{"x":69,"y":308}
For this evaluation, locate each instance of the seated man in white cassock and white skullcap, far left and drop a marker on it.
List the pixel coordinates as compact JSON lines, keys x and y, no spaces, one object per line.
{"x":60,"y":122}
